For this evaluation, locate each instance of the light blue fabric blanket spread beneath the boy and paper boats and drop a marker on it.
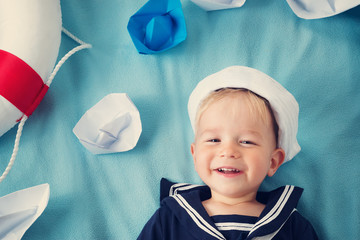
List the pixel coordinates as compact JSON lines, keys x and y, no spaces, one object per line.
{"x":112,"y":196}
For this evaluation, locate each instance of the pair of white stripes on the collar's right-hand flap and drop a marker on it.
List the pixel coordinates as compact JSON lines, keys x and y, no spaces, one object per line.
{"x":276,"y":210}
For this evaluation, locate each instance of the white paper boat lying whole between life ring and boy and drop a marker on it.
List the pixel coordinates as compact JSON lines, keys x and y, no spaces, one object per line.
{"x":112,"y":125}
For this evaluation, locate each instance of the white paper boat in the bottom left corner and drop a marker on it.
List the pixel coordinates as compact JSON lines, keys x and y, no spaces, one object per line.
{"x":19,"y":210}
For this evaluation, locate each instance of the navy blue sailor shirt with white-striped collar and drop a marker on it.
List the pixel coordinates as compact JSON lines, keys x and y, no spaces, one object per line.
{"x":182,"y":216}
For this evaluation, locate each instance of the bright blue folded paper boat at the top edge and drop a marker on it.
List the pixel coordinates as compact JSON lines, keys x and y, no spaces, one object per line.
{"x":157,"y":26}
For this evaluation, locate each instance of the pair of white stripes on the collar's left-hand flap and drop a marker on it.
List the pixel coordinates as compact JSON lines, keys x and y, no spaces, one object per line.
{"x":200,"y":221}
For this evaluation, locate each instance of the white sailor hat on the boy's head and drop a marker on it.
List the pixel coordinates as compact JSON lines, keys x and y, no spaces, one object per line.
{"x":282,"y":102}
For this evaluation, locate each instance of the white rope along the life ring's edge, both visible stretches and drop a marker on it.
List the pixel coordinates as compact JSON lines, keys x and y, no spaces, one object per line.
{"x":82,"y":46}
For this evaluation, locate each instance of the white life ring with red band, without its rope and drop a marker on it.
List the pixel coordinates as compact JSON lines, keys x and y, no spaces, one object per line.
{"x":30,"y":35}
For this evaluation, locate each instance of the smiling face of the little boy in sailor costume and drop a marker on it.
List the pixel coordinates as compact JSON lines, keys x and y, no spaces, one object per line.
{"x":234,"y":148}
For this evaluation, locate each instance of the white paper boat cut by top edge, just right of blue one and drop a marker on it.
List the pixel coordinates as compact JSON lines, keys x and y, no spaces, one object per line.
{"x":211,"y":5}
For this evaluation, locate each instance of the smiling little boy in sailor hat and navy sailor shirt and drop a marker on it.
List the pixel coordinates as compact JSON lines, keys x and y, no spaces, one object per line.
{"x":245,"y":126}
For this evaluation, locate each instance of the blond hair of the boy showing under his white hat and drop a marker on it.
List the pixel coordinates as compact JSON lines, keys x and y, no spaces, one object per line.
{"x":258,"y":105}
